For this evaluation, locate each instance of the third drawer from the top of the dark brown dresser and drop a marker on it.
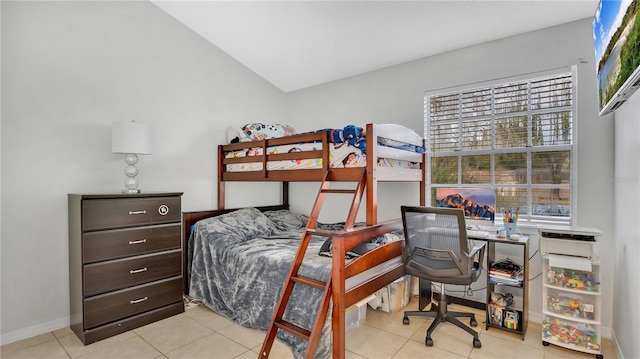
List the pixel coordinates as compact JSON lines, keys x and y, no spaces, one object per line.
{"x":121,"y":273}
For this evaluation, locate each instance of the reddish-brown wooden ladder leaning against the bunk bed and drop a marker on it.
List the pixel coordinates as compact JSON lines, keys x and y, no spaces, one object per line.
{"x":312,"y":336}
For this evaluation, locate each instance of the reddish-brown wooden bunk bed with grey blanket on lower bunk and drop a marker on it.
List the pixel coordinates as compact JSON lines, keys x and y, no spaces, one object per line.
{"x":391,"y":153}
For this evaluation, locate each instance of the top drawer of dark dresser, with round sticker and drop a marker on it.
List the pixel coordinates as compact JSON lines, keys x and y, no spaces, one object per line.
{"x":126,"y":212}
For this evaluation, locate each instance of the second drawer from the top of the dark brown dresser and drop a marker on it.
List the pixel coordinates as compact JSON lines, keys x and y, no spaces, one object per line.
{"x":118,"y":243}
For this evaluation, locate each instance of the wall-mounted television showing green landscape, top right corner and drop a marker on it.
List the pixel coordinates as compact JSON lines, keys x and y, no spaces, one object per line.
{"x":616,"y":36}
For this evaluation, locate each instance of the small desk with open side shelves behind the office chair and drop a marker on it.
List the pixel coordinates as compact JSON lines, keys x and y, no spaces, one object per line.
{"x":492,"y":241}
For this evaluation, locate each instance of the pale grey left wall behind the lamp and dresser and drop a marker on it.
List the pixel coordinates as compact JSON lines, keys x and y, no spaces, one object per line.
{"x":69,"y":69}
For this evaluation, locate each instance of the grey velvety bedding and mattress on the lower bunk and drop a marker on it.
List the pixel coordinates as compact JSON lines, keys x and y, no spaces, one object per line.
{"x":239,"y":262}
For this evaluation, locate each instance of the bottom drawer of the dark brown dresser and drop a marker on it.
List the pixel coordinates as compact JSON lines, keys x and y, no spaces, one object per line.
{"x":106,"y":308}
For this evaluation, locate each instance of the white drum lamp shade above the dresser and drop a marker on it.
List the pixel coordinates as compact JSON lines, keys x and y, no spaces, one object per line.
{"x":131,"y":137}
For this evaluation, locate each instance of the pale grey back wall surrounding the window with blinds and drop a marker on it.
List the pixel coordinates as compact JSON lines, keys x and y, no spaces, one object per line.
{"x":396,"y":94}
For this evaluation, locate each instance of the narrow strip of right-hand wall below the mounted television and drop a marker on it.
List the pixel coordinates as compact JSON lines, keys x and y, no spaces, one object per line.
{"x":626,"y":315}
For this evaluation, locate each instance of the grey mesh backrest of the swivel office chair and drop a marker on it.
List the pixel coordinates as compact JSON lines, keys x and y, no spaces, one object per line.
{"x":436,"y":243}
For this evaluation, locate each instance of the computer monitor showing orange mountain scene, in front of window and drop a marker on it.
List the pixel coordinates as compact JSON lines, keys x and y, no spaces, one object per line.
{"x":479,"y":204}
